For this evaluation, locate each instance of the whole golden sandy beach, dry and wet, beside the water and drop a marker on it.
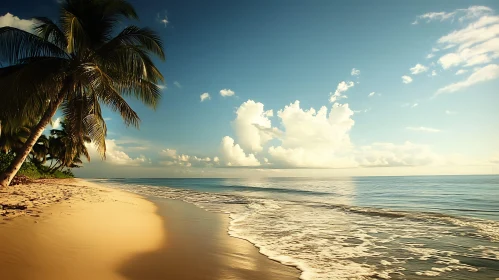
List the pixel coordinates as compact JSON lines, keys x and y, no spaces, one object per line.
{"x":72,"y":229}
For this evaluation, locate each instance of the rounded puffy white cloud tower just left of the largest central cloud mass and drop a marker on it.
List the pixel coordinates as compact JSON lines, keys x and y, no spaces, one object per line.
{"x":252,"y":126}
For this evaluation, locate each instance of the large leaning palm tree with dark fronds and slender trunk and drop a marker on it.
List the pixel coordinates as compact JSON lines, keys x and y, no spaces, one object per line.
{"x":77,"y":65}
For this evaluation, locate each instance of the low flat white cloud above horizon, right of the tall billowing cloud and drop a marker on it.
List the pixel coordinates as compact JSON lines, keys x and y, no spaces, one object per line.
{"x":389,"y":154}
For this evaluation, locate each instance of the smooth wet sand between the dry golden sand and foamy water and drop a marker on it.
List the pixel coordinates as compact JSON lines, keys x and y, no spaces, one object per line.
{"x":197,"y":246}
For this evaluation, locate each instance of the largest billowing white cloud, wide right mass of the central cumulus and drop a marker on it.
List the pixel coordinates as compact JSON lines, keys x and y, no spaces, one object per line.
{"x":313,"y":138}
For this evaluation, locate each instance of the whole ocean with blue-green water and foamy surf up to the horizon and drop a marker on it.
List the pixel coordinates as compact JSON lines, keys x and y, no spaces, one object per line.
{"x":415,"y":227}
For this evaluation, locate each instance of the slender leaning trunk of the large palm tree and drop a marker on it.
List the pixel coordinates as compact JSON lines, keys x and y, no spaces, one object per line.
{"x":10,"y":172}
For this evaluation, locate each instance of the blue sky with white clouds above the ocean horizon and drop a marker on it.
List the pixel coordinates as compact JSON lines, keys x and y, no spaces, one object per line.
{"x":309,"y":88}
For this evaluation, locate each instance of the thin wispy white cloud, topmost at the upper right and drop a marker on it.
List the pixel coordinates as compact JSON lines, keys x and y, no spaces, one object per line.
{"x":460,"y":14}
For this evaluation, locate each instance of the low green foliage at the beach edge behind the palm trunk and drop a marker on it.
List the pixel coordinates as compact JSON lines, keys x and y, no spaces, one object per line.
{"x":33,"y":171}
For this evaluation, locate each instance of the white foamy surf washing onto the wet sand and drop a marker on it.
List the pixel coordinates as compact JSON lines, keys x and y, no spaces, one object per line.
{"x":336,"y":242}
